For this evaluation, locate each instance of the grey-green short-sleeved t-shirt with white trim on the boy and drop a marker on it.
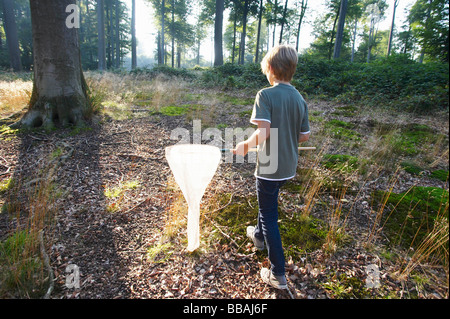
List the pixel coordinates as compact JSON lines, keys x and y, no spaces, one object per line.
{"x":285,"y":109}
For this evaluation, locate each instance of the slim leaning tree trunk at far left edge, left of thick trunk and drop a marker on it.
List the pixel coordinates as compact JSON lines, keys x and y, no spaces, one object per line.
{"x":11,"y":35}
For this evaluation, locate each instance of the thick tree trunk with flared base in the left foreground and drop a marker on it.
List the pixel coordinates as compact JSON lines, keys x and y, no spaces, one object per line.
{"x":59,"y":90}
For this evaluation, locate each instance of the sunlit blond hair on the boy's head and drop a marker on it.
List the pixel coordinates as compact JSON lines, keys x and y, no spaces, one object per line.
{"x":283,"y":60}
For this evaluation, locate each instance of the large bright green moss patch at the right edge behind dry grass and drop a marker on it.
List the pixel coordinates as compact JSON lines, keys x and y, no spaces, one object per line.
{"x":410,"y":215}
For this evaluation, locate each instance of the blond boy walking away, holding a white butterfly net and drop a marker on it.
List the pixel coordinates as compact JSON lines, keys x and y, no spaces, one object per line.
{"x":281,"y":115}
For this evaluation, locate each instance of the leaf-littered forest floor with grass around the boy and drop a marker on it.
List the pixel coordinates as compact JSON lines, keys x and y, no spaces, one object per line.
{"x":118,"y":216}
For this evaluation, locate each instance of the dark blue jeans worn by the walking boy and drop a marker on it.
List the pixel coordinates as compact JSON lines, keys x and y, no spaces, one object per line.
{"x":267,"y":227}
